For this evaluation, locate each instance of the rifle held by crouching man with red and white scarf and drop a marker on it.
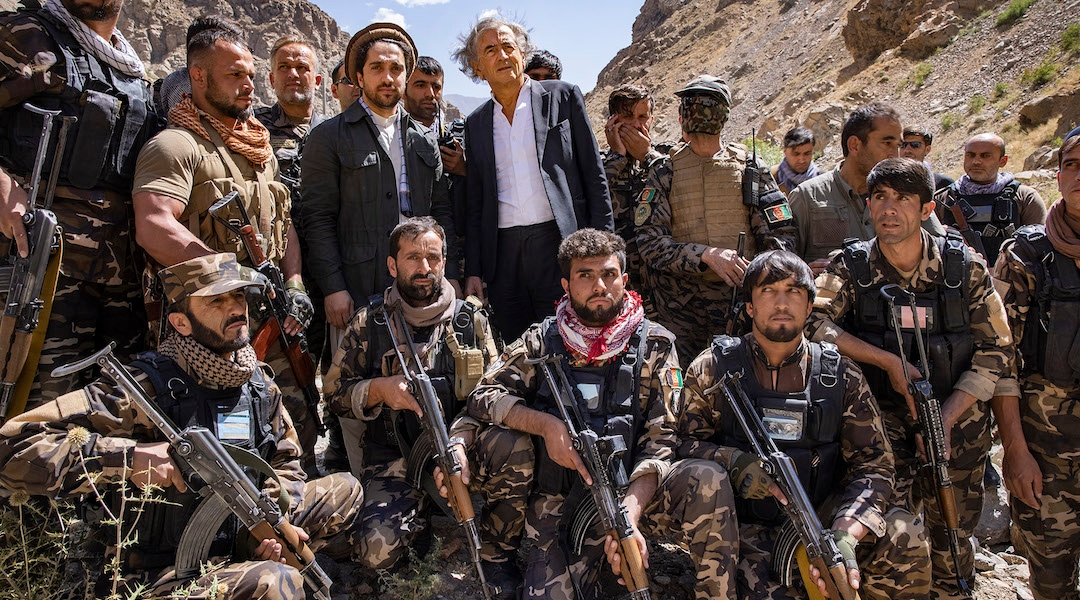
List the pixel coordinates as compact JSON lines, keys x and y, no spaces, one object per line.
{"x":603,"y":458}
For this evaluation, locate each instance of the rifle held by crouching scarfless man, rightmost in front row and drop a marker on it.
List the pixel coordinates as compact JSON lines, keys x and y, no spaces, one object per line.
{"x":821,"y":549}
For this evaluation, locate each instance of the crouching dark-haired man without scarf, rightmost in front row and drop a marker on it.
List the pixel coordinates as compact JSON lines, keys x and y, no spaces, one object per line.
{"x":844,"y":458}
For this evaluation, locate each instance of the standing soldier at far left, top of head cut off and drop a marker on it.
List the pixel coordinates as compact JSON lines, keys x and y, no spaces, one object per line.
{"x":70,"y":57}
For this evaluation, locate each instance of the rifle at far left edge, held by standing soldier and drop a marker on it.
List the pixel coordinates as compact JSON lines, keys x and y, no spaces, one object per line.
{"x":32,"y":281}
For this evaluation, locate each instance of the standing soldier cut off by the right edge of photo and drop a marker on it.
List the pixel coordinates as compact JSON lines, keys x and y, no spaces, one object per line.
{"x":1041,"y":433}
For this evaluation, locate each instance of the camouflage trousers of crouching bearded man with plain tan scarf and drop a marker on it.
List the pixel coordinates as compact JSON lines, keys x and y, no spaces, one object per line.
{"x":396,"y":514}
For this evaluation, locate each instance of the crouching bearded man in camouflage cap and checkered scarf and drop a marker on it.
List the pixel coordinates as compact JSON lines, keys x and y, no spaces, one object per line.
{"x":204,"y":374}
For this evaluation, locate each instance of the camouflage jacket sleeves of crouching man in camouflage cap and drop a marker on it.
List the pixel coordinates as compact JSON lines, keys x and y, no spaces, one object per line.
{"x":39,"y":455}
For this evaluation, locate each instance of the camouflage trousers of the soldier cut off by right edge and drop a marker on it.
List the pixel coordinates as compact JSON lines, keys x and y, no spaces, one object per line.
{"x":1050,"y":536}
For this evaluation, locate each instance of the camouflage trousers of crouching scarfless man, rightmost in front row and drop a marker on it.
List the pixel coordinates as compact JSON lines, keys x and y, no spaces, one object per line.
{"x":896,"y":567}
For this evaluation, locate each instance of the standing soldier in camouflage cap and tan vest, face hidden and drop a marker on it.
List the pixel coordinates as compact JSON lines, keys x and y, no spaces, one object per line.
{"x":692,"y":213}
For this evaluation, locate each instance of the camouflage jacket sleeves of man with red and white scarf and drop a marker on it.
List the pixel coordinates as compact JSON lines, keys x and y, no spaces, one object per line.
{"x":511,"y":381}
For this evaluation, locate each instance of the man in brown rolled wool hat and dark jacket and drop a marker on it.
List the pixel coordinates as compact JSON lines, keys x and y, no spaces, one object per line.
{"x":366,"y":171}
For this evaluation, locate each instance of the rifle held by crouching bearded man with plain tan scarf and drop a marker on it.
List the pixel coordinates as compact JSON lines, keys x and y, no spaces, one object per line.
{"x":420,"y":386}
